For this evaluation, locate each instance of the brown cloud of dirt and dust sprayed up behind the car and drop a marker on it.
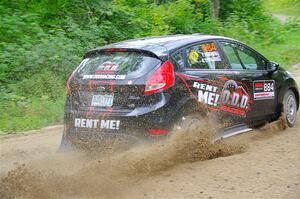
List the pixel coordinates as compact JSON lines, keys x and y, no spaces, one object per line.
{"x":84,"y":175}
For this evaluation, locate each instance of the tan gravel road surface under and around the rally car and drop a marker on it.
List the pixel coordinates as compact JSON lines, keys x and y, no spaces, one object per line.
{"x":261,"y":164}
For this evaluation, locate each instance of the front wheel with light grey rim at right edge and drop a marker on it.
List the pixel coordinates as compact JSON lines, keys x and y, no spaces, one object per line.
{"x":290,"y":108}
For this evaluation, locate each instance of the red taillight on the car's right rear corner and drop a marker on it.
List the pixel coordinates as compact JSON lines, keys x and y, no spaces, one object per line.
{"x":161,"y":79}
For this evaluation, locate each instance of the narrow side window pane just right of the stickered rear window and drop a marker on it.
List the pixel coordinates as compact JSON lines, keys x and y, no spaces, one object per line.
{"x":230,"y":52}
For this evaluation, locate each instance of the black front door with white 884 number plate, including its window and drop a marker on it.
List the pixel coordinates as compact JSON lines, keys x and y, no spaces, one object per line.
{"x":250,"y":68}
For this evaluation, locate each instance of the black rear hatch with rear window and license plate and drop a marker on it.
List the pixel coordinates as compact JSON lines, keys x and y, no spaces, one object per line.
{"x":113,"y":80}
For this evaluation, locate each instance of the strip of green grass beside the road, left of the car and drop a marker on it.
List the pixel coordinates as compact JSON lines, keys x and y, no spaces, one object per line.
{"x":19,"y":116}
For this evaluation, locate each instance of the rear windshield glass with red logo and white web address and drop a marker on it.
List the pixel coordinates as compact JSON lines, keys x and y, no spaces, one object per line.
{"x":129,"y":64}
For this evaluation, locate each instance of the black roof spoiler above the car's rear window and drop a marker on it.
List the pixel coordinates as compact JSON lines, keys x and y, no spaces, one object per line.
{"x":107,"y":50}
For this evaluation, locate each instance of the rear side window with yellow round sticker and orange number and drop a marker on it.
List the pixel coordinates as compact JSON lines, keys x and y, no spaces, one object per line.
{"x":204,"y":56}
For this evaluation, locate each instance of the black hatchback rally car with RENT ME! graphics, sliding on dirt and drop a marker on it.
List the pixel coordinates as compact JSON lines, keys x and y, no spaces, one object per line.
{"x":141,"y":88}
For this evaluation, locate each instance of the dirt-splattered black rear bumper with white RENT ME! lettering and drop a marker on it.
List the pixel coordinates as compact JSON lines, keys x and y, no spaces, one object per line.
{"x":102,"y":126}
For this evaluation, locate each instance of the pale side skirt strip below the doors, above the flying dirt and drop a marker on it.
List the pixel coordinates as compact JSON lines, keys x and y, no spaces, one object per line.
{"x":232,"y":131}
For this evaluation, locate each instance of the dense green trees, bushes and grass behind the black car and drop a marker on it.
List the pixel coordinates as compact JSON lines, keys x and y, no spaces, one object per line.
{"x":41,"y":42}
